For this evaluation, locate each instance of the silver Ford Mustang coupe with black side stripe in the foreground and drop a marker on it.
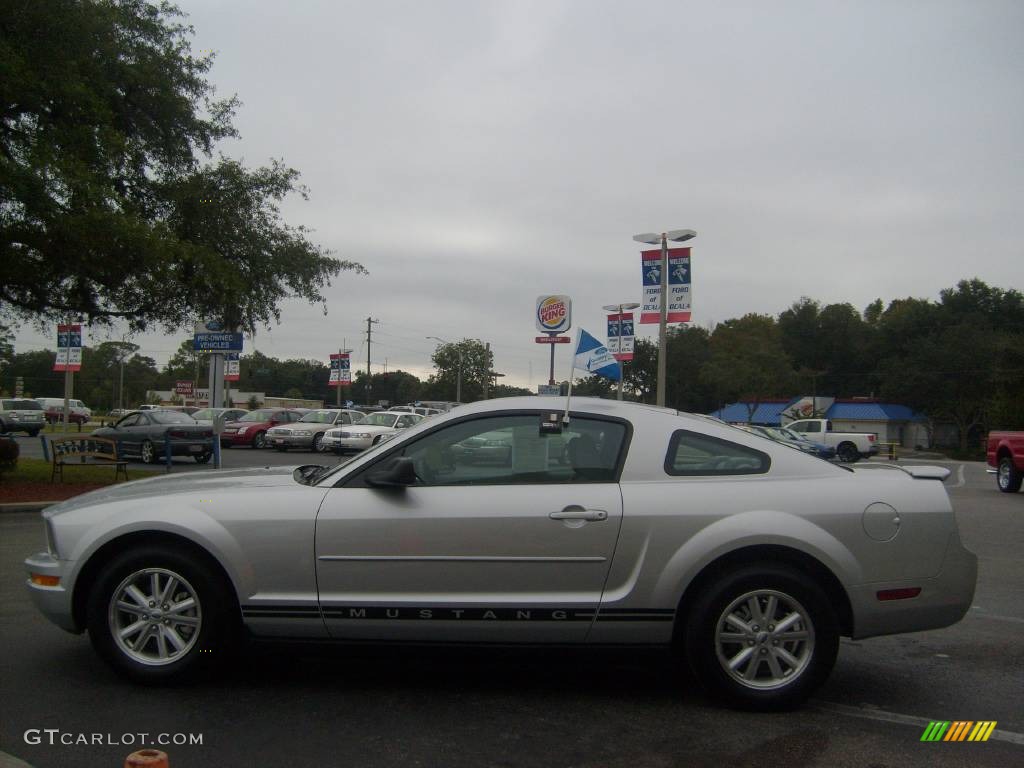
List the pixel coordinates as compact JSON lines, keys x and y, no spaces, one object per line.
{"x":620,"y":525}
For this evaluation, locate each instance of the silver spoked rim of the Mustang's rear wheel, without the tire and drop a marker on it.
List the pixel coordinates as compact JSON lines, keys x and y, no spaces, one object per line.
{"x":764,"y":639}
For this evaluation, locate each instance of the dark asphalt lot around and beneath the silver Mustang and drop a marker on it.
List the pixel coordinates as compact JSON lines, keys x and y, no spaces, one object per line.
{"x":322,"y":706}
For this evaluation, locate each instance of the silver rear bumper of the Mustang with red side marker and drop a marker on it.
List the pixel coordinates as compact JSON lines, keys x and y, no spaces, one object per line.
{"x":945,"y":600}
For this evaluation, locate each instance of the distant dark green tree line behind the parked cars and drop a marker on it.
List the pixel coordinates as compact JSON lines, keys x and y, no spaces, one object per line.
{"x":958,"y":361}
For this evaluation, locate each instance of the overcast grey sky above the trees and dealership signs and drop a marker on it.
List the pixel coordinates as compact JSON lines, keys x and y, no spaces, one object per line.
{"x":476,"y":154}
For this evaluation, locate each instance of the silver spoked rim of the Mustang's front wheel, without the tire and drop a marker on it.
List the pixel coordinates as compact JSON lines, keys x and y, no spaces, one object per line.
{"x":155,"y":617}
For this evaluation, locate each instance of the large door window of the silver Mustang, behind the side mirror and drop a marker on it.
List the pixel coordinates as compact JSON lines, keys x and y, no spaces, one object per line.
{"x":511,"y":450}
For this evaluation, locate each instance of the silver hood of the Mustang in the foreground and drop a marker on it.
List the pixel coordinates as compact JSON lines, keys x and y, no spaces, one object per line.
{"x":190,"y":483}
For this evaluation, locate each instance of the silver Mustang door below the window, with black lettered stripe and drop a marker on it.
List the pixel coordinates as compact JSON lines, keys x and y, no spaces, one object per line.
{"x":473,"y":564}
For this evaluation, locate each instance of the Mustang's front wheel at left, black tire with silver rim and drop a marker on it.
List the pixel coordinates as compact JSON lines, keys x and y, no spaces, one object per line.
{"x":207,"y":643}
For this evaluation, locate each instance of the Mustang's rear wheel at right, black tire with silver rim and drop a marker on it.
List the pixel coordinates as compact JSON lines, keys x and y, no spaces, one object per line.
{"x":786,"y":686}
